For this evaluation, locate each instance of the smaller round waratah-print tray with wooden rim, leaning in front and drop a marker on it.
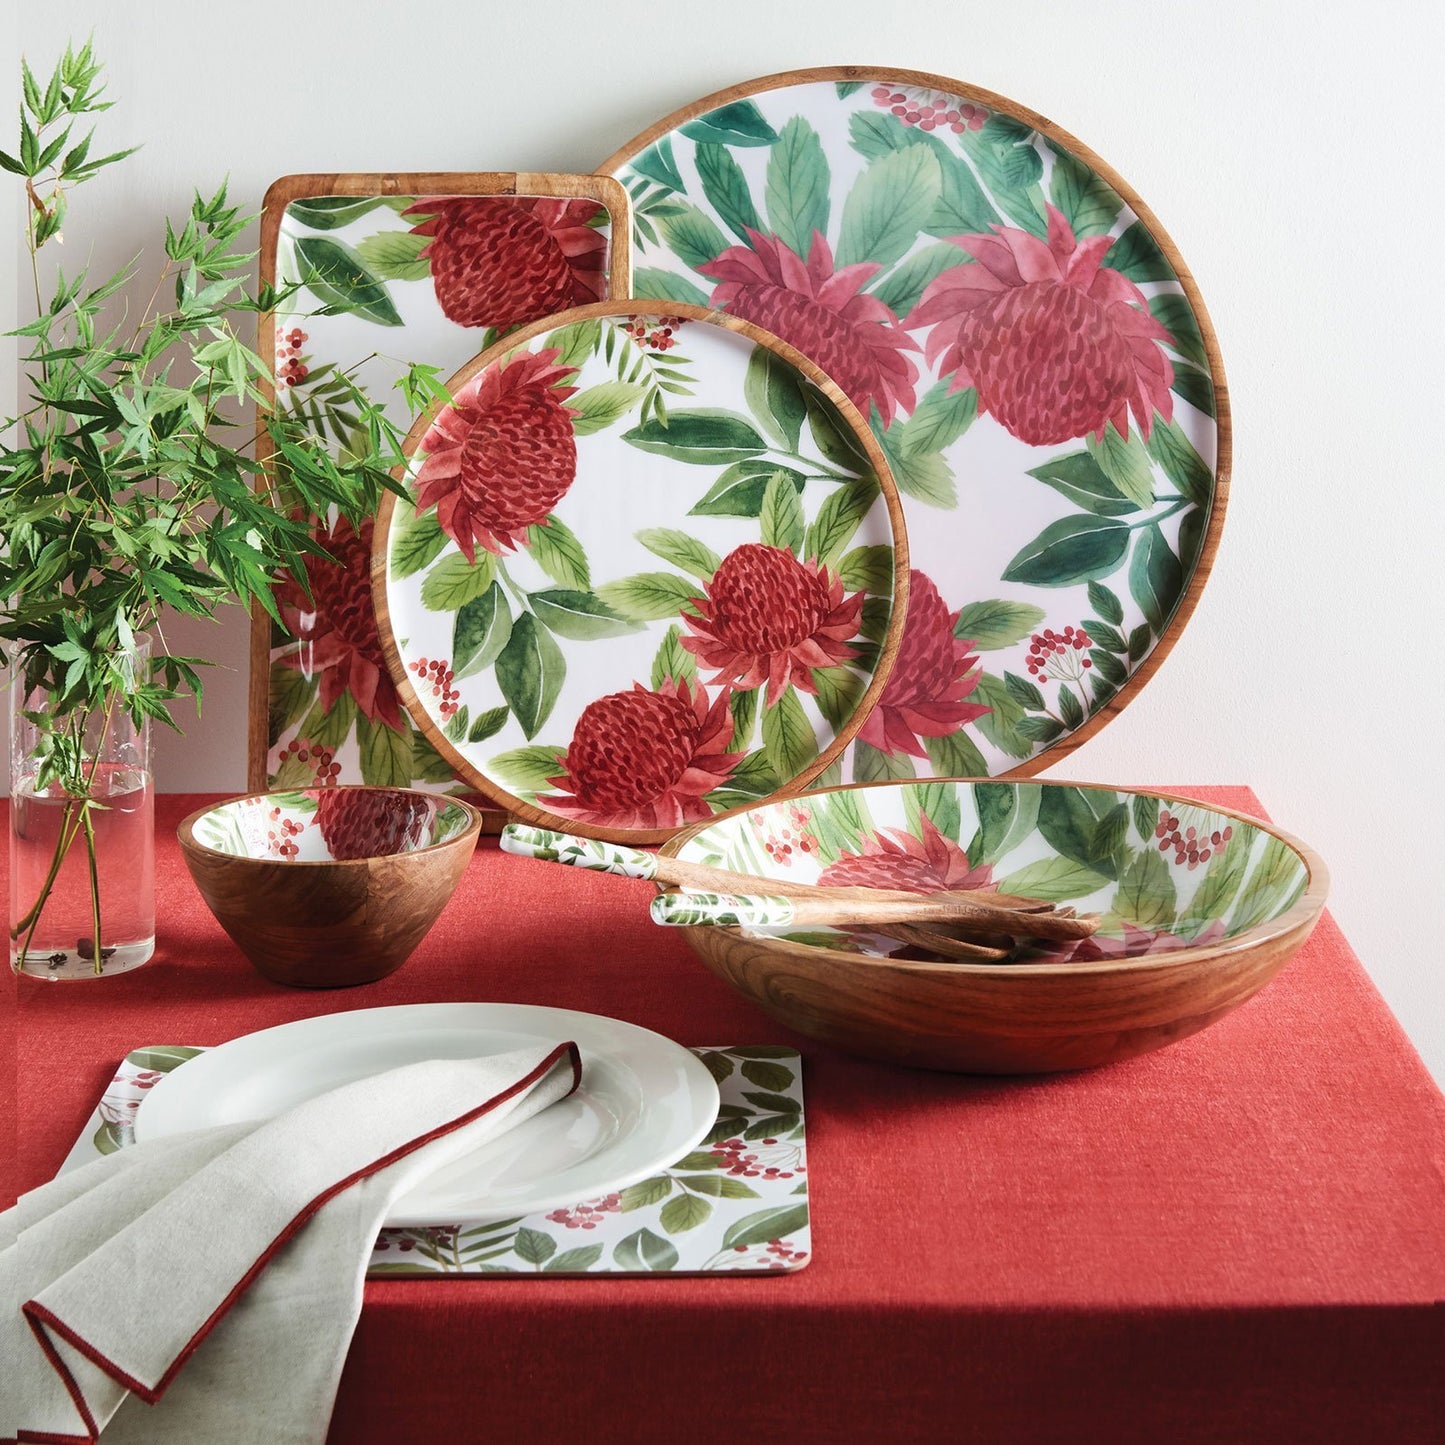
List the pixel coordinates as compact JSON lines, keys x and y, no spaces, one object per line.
{"x":645,"y":570}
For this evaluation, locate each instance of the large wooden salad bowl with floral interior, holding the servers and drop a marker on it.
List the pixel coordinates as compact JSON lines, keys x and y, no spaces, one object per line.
{"x":1180,"y":949}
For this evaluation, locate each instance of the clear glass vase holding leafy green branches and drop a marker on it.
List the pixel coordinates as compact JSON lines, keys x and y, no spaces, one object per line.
{"x":83,"y":853}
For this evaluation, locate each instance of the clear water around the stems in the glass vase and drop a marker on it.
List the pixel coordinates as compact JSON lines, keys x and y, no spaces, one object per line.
{"x":63,"y":943}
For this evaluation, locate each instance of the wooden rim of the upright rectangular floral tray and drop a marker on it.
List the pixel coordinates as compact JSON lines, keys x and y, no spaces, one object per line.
{"x":611,"y":194}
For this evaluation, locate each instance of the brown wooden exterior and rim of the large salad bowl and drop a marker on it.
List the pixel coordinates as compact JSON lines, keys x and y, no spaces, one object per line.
{"x":1009,"y":1018}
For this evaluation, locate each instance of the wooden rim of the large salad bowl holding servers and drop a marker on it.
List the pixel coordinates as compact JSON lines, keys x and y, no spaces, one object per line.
{"x":1303,"y":914}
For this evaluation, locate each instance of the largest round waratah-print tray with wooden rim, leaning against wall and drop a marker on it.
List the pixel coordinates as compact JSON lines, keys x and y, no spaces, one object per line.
{"x":1032,"y":356}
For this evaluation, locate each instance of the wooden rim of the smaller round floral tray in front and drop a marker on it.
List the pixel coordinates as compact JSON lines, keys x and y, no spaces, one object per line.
{"x":888,"y":652}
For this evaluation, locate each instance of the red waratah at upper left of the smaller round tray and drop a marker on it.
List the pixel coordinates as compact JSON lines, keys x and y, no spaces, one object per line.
{"x":502,"y":456}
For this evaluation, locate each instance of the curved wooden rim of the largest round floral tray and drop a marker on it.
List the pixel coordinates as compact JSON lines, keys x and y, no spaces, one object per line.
{"x":1219,"y":502}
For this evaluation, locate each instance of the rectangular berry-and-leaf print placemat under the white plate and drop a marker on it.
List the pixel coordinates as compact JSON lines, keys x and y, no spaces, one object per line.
{"x":736,"y":1204}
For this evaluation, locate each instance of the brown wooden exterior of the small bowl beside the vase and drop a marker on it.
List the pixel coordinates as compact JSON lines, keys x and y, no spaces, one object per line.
{"x":330,"y":924}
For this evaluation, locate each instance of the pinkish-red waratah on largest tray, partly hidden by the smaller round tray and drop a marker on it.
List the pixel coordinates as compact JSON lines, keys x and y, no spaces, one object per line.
{"x":823,"y":313}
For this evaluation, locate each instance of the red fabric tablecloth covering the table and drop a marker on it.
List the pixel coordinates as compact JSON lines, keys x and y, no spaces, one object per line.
{"x":1241,"y":1238}
